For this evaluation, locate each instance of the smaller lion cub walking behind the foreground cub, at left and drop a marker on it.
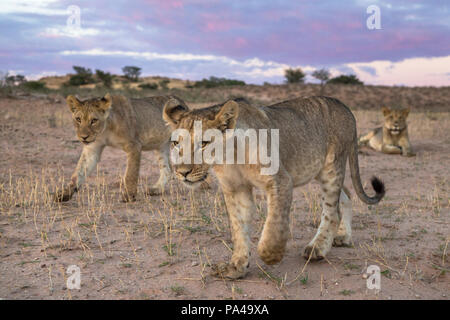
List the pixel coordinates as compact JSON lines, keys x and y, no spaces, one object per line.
{"x":133,"y":125}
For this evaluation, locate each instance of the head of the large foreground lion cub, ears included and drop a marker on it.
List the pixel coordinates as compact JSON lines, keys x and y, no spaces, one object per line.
{"x":178,"y":116}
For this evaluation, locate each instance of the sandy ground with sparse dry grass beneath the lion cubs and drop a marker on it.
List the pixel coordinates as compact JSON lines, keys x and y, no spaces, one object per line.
{"x":162,"y":247}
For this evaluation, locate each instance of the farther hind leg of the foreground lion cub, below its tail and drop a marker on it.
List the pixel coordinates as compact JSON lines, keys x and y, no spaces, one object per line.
{"x":344,"y":233}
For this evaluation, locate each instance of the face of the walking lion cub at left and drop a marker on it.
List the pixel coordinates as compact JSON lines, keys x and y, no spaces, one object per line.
{"x":89,"y":116}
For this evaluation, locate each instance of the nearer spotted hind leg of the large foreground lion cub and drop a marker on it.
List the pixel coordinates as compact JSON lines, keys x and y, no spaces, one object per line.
{"x":331,"y":179}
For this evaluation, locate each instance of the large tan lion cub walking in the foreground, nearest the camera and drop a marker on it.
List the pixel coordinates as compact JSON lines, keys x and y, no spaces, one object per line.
{"x":317,"y":135}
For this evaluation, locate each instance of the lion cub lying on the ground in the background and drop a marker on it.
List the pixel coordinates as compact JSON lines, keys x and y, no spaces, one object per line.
{"x":392,"y":138}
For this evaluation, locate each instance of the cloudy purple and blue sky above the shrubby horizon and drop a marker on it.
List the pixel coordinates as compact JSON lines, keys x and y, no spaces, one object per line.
{"x":252,"y":40}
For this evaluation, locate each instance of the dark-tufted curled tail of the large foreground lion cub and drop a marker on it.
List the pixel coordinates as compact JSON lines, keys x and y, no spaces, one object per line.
{"x":377,"y":184}
